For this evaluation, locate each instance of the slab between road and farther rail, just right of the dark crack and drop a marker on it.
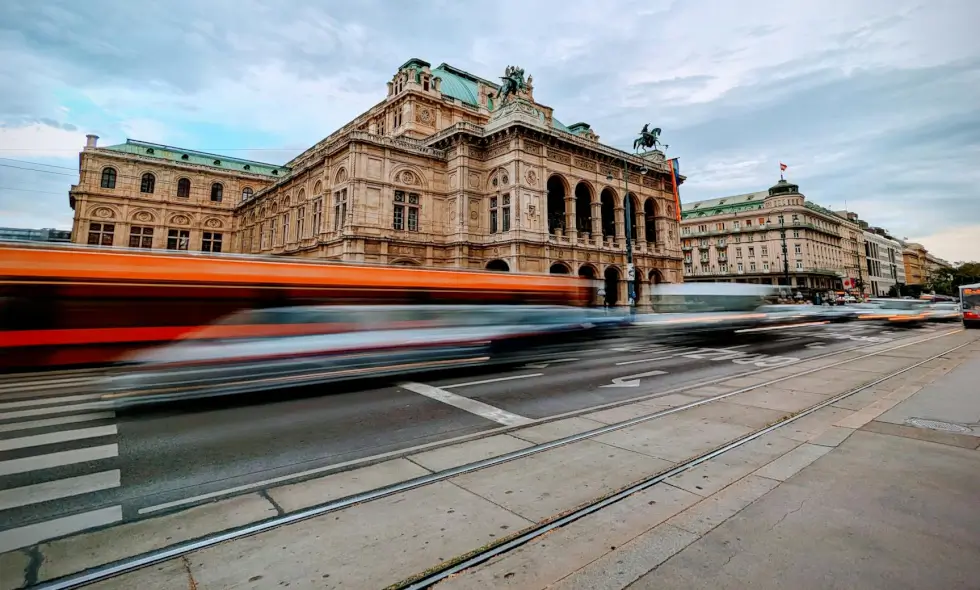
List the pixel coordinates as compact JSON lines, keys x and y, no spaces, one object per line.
{"x":338,"y":485}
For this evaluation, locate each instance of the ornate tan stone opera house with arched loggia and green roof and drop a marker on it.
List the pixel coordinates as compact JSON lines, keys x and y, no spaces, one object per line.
{"x":440,"y":173}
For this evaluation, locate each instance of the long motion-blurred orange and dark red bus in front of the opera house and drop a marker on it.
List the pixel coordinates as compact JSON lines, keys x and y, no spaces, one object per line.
{"x":74,"y":305}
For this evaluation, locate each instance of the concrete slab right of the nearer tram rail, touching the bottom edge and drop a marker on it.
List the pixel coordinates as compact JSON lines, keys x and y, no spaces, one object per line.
{"x":562,"y":552}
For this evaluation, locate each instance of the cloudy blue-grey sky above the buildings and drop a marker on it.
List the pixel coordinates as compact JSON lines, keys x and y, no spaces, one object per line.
{"x":873,"y":104}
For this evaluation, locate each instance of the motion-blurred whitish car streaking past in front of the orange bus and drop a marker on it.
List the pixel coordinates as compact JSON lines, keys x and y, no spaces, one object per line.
{"x":277,"y":348}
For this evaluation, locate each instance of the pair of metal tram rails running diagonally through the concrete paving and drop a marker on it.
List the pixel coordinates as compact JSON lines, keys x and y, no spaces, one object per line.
{"x":127,"y":565}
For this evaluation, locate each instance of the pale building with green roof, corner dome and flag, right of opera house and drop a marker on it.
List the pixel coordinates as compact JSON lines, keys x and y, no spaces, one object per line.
{"x":772,"y":237}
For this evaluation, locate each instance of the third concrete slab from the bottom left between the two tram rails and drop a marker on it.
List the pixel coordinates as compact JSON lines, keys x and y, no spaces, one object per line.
{"x":539,"y":486}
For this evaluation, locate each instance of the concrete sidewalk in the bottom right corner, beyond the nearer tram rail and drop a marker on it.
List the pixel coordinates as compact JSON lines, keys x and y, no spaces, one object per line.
{"x":889,"y":505}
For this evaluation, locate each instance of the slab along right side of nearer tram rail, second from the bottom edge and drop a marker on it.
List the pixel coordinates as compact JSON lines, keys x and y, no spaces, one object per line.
{"x":712,"y":476}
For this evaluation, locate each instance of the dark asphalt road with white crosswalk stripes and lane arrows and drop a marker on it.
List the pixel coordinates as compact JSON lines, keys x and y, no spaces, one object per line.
{"x":63,"y":463}
